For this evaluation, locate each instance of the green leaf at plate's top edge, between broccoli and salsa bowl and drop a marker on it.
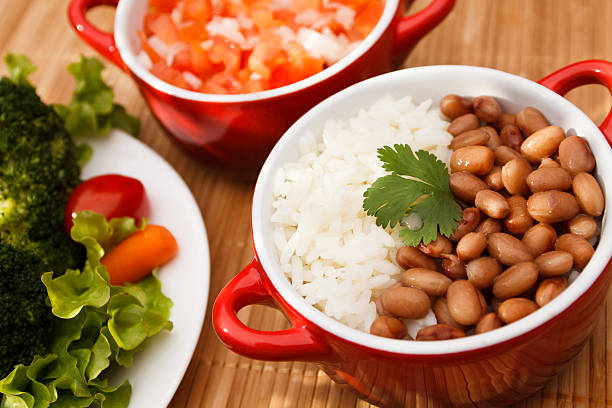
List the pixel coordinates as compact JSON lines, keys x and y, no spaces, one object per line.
{"x":92,"y":110}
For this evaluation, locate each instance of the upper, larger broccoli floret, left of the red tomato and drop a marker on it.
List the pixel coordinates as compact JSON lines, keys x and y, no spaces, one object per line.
{"x":38,"y":163}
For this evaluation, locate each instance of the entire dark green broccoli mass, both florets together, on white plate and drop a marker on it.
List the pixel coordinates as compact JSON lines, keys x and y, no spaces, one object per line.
{"x":38,"y":170}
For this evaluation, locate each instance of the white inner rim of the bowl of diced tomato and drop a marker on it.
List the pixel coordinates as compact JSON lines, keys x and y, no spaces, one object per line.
{"x":129,"y":18}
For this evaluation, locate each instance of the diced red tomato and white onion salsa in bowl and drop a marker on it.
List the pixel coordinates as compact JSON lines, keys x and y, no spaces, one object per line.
{"x":242,"y":46}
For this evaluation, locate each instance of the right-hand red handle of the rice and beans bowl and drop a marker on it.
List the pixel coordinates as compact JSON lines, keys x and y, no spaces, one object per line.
{"x":583,"y":73}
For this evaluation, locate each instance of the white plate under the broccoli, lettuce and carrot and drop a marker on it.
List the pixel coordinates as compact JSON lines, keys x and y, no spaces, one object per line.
{"x":160,"y":366}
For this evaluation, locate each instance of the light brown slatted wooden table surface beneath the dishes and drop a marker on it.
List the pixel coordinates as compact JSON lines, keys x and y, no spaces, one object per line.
{"x":530,"y":38}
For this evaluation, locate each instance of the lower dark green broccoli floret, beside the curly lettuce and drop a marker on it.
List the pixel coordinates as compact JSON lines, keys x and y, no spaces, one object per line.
{"x":26,"y":322}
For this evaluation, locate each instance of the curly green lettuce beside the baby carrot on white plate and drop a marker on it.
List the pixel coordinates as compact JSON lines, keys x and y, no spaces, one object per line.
{"x":100,"y":325}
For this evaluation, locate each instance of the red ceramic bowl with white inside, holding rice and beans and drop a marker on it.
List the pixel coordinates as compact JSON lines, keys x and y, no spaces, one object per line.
{"x":491,"y":369}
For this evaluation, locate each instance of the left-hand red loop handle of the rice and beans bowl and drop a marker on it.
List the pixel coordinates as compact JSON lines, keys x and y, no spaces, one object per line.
{"x":248,"y":288}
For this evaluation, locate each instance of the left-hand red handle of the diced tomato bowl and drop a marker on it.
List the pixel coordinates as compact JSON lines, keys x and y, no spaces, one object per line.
{"x":101,"y":41}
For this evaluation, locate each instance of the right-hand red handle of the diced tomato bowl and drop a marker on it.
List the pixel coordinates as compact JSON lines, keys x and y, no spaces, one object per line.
{"x":411,"y":29}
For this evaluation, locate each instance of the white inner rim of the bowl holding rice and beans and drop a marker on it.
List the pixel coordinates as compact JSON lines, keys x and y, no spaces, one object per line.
{"x":422,"y":83}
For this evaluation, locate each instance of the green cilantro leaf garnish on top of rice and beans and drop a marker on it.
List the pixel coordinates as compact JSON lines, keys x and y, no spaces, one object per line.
{"x":418,"y":183}
